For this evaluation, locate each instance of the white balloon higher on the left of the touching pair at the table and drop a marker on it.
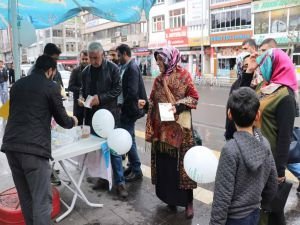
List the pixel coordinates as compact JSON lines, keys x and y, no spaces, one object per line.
{"x":103,"y":122}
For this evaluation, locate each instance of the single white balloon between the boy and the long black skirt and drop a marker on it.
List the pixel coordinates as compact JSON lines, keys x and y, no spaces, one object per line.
{"x":200,"y":164}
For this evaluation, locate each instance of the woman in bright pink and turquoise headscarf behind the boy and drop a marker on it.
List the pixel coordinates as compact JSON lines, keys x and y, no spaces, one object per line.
{"x":278,"y":110}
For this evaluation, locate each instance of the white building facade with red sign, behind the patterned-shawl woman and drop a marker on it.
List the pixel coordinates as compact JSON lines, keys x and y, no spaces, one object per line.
{"x":183,"y":24}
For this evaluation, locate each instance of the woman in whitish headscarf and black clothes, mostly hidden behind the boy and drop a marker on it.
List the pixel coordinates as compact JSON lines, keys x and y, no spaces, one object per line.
{"x":243,"y":79}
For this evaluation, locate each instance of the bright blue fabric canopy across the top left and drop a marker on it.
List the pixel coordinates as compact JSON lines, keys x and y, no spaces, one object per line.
{"x":46,"y":13}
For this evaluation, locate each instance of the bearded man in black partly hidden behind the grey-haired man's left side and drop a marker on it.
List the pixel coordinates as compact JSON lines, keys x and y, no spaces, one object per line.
{"x":75,"y":84}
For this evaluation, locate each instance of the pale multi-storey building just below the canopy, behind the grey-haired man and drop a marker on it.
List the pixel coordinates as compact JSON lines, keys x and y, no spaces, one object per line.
{"x":111,"y":34}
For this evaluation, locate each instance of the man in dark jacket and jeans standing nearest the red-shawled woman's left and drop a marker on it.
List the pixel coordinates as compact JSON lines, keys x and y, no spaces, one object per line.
{"x":132,"y":100}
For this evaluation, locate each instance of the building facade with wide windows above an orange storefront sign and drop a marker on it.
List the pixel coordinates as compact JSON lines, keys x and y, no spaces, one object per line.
{"x":230,"y":25}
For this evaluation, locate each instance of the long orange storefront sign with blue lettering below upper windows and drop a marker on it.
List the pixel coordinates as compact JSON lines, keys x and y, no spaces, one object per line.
{"x":230,"y":37}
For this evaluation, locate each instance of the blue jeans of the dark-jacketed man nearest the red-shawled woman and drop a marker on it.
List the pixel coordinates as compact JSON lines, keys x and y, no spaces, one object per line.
{"x":133,"y":157}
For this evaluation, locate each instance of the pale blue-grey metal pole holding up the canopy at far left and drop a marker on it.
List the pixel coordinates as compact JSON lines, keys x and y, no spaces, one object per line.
{"x":15,"y":38}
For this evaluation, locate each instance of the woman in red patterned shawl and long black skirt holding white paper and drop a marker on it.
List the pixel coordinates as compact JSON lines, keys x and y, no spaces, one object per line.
{"x":171,"y":140}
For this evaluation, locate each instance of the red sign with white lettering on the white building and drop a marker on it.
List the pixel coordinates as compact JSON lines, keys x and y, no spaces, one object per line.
{"x":177,"y":36}
